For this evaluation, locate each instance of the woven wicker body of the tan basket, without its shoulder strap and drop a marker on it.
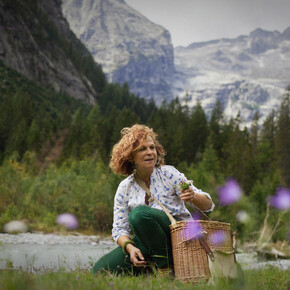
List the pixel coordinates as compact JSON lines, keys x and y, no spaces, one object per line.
{"x":189,"y":256}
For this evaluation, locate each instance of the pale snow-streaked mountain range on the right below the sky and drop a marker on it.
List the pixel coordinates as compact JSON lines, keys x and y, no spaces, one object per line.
{"x":247,"y":74}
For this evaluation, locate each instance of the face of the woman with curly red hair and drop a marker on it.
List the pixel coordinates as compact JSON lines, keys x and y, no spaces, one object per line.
{"x":146,"y":155}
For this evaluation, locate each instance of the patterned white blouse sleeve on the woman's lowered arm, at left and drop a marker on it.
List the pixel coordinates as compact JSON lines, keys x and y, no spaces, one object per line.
{"x":121,"y":214}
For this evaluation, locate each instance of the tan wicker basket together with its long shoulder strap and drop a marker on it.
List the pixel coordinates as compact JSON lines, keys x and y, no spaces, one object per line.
{"x":190,"y":254}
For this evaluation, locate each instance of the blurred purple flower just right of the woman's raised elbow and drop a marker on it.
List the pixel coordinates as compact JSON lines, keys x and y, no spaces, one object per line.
{"x":230,"y":192}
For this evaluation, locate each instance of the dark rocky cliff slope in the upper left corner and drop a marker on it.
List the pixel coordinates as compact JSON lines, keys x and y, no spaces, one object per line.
{"x":36,"y":41}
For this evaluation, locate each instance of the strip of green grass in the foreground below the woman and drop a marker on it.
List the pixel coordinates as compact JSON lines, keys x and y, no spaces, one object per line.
{"x":268,"y":278}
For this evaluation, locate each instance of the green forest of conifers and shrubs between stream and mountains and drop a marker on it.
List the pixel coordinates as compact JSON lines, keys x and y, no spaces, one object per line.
{"x":54,"y":155}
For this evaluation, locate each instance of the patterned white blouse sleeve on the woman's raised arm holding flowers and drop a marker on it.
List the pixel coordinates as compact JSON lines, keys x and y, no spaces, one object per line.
{"x":177,"y":177}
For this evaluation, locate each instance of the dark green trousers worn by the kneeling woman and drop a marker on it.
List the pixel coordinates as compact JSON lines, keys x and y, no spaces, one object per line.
{"x":151,"y":235}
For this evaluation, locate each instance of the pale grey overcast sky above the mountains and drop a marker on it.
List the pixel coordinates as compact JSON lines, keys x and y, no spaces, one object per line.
{"x":191,"y":21}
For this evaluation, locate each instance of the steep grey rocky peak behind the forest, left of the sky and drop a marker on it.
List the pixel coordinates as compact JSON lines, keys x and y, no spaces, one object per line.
{"x":129,"y":47}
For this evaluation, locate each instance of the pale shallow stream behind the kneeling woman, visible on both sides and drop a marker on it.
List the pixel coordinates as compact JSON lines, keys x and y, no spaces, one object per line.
{"x":41,"y":252}
